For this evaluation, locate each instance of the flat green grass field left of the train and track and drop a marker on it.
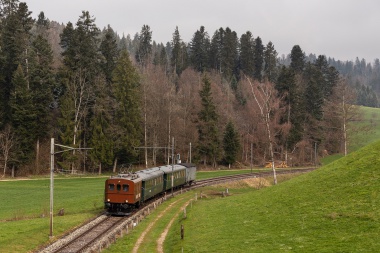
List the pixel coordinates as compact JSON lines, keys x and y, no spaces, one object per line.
{"x":25,"y":207}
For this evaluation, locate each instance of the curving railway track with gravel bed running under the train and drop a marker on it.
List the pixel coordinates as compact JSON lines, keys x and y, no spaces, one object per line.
{"x":100,"y":232}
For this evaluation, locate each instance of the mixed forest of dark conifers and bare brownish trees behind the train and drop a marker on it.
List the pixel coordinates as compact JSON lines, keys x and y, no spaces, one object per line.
{"x":217,"y":100}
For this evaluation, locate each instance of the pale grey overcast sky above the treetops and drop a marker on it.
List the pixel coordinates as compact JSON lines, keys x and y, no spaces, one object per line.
{"x":343,"y":29}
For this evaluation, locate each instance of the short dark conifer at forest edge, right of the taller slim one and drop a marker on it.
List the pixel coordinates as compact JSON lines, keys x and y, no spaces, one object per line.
{"x":231,"y":144}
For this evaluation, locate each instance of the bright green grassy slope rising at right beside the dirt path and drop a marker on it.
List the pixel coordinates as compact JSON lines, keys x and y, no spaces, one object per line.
{"x":333,"y":209}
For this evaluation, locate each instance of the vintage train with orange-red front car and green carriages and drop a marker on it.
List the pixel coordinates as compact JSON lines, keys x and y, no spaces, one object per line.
{"x":125,"y":192}
